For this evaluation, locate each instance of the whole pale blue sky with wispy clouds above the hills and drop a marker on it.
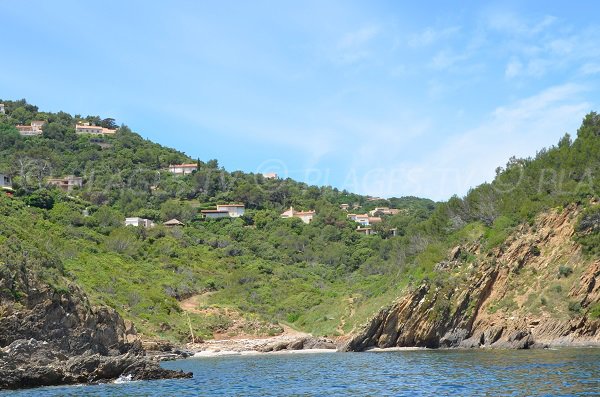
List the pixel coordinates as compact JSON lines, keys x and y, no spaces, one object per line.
{"x":385,"y":98}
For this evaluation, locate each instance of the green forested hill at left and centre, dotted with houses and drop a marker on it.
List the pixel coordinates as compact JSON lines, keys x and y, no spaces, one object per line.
{"x":246,"y":273}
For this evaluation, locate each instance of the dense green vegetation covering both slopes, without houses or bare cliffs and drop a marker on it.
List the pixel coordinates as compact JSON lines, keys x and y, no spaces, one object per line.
{"x":323,"y":277}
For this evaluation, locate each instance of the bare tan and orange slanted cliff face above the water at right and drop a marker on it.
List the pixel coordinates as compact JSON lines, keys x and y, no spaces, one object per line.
{"x":535,"y":289}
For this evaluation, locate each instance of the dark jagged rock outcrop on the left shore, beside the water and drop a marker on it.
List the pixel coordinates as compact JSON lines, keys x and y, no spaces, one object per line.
{"x":49,"y":338}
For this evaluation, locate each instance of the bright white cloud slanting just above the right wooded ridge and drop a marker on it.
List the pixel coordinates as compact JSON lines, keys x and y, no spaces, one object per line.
{"x":466,"y":159}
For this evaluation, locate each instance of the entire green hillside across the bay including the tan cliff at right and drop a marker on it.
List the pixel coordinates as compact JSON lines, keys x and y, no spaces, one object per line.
{"x":457,"y":268}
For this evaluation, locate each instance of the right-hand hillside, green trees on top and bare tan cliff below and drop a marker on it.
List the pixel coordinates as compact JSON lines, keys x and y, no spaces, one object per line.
{"x":524,"y":267}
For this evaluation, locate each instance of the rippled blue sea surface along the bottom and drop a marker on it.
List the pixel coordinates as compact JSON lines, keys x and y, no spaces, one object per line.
{"x":561,"y":372}
